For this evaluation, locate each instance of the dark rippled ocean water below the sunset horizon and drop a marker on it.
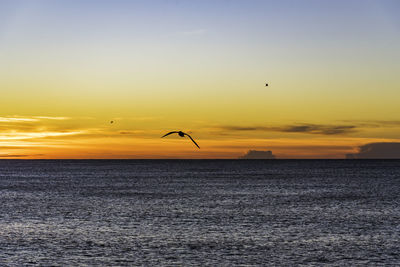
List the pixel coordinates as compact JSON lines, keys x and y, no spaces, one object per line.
{"x":199,"y":212}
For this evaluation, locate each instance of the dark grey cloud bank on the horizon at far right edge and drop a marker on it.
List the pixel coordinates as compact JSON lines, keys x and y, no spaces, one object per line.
{"x":387,"y":150}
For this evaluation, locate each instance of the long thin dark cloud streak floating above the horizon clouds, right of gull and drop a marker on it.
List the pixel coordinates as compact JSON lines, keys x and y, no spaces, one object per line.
{"x":297,"y":128}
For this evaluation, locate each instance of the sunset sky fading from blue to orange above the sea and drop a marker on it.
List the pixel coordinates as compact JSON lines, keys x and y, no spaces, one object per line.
{"x":69,"y":67}
